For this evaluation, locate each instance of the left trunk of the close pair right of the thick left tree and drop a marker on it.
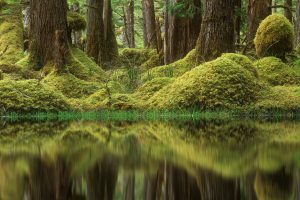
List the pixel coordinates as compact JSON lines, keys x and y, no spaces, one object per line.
{"x":95,"y":26}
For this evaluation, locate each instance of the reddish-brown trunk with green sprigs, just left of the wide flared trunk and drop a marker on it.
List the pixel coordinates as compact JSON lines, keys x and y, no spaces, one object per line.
{"x":182,"y":29}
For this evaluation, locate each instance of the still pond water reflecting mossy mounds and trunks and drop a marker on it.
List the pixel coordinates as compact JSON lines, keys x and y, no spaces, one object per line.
{"x":205,"y":160}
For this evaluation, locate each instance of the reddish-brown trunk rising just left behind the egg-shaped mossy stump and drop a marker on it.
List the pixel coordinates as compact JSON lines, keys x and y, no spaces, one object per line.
{"x":257,"y":11}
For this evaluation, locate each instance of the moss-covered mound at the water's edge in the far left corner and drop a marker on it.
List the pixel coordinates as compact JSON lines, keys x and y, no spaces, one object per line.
{"x":30,"y":95}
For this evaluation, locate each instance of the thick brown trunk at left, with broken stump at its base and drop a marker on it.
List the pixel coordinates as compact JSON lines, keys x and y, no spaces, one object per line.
{"x":47,"y":17}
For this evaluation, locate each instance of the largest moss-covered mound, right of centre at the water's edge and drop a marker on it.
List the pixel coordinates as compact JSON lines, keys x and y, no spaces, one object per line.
{"x":221,"y":83}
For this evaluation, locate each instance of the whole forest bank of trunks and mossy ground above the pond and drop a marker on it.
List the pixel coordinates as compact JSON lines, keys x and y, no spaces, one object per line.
{"x":59,"y":55}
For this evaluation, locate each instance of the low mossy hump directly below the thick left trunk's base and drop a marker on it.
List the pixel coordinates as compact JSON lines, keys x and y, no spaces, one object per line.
{"x":71,"y":86}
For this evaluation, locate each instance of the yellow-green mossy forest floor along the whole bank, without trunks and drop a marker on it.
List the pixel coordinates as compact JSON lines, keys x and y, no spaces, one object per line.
{"x":138,"y":82}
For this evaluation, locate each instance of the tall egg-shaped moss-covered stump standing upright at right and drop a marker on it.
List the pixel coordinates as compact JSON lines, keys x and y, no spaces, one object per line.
{"x":274,"y":37}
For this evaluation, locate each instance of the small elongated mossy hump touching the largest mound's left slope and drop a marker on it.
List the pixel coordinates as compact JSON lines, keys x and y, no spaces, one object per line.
{"x":151,"y":87}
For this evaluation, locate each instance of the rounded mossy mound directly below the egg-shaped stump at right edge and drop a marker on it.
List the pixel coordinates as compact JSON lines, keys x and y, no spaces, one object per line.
{"x":276,"y":72}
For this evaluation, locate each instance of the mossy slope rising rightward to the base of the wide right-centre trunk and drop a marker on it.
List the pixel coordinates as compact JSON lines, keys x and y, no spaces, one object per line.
{"x":174,"y":69}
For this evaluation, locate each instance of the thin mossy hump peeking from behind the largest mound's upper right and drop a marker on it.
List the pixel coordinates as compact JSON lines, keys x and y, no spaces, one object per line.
{"x":242,"y":60}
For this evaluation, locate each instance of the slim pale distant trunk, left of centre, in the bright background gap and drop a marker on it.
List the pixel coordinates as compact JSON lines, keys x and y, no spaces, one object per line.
{"x":129,"y":23}
